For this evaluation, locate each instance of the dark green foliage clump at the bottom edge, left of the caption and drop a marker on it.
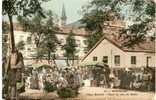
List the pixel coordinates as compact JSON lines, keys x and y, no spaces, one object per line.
{"x":66,"y":92}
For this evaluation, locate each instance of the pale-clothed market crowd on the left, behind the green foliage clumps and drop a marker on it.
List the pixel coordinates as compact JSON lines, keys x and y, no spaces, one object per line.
{"x":67,"y":77}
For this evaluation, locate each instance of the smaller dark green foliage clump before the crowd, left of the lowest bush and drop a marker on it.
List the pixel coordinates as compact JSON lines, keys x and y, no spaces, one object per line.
{"x":48,"y":87}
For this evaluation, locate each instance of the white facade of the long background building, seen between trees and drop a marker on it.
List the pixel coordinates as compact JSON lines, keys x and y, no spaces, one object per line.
{"x":30,"y":48}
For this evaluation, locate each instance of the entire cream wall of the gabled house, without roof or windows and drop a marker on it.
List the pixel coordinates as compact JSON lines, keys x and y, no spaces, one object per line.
{"x":105,"y":48}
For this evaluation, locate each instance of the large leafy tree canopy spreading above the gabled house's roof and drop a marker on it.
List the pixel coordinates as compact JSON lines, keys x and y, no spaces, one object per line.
{"x":99,"y":11}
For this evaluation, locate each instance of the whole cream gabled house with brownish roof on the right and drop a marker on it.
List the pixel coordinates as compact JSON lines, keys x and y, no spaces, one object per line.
{"x":111,"y":52}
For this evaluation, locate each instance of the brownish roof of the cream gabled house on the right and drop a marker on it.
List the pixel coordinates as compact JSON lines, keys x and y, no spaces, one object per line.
{"x":148,"y":47}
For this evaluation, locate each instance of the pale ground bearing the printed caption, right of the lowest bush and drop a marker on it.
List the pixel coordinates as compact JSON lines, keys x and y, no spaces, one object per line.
{"x":98,"y":93}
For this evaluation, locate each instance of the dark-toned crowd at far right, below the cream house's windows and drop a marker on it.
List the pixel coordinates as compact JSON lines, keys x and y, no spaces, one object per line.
{"x":137,"y":80}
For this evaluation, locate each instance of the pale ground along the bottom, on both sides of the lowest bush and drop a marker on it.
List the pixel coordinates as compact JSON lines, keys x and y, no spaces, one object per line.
{"x":92,"y":93}
